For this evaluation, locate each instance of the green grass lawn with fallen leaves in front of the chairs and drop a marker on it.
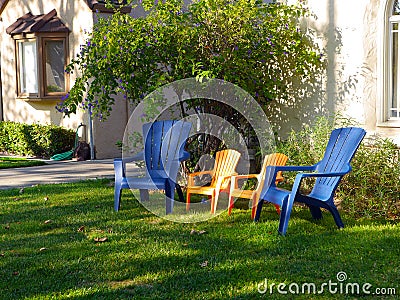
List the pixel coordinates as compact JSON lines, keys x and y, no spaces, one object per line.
{"x":65,"y":241}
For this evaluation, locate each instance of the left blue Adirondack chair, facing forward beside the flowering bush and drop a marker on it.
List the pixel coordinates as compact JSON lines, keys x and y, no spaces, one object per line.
{"x":164,"y":143}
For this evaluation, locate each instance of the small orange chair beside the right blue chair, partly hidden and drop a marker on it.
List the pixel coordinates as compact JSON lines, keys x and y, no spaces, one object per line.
{"x":274,"y":159}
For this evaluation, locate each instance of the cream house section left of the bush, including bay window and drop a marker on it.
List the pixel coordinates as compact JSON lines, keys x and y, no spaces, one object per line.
{"x":37,"y":40}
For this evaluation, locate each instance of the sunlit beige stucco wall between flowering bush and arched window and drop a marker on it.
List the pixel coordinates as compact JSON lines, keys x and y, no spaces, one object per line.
{"x":350,"y":32}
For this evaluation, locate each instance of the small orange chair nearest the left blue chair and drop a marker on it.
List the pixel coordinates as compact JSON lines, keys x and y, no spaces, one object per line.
{"x":224,"y":167}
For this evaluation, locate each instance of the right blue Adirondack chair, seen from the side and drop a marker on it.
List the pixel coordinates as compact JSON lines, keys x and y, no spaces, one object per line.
{"x":341,"y":147}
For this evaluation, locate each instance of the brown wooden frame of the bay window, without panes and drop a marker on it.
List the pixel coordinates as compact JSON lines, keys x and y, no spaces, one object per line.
{"x":41,"y":39}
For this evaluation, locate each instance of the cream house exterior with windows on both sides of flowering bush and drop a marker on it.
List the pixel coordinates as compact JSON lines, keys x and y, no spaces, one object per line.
{"x":362,"y":79}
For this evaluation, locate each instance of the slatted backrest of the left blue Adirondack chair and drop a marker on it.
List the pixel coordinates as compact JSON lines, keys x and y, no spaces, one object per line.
{"x":164,"y":143}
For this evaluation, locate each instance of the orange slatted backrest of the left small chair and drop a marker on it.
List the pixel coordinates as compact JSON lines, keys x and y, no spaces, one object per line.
{"x":225,"y":165}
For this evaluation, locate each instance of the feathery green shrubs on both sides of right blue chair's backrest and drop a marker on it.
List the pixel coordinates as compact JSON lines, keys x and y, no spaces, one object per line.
{"x":371,"y":189}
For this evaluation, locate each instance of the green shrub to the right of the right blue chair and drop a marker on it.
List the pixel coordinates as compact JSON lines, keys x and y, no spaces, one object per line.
{"x":372,"y":189}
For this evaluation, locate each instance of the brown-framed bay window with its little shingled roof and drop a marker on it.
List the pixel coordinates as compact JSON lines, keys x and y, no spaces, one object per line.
{"x":41,"y":51}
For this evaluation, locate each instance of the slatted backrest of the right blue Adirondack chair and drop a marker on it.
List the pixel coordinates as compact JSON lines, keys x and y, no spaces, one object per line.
{"x":342,"y":145}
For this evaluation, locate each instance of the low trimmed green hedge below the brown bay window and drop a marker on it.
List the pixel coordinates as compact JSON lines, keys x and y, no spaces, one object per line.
{"x":35,"y":140}
